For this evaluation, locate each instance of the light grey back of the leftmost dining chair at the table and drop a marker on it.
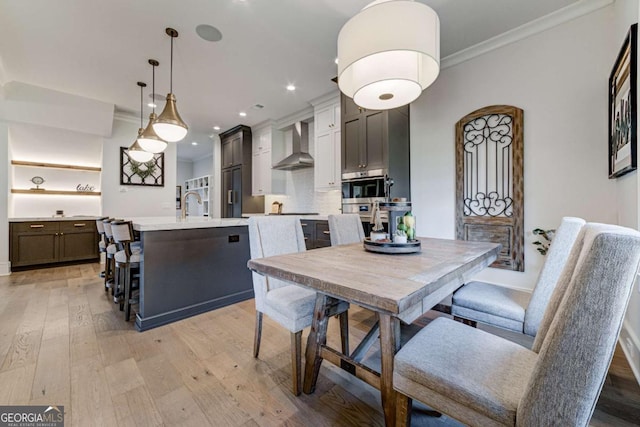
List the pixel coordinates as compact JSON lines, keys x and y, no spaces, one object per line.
{"x":269,"y":236}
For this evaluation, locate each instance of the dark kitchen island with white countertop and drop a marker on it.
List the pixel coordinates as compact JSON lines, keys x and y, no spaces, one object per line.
{"x":190,"y":266}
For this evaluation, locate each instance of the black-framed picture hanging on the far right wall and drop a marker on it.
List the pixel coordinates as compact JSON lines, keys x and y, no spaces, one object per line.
{"x":623,"y":127}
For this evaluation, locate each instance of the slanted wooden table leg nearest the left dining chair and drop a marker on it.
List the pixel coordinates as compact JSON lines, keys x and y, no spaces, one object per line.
{"x":317,"y":338}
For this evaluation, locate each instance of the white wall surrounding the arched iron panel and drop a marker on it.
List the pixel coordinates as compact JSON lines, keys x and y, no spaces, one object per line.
{"x":559,"y":78}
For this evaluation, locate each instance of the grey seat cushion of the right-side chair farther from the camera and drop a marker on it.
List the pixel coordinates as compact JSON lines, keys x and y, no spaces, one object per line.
{"x":491,"y":304}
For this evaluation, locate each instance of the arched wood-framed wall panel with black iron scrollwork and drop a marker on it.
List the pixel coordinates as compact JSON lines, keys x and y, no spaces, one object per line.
{"x":489,"y":181}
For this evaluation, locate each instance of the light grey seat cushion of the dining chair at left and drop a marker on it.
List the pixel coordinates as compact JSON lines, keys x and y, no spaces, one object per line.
{"x":291,"y":305}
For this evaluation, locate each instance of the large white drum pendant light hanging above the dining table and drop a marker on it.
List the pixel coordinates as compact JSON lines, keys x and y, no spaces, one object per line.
{"x":389,"y":53}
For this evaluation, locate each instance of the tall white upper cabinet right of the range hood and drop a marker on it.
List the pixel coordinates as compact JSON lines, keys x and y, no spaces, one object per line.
{"x":327,"y":169}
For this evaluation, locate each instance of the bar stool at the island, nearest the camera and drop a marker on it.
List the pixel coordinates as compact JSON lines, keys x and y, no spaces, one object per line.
{"x":127,"y":264}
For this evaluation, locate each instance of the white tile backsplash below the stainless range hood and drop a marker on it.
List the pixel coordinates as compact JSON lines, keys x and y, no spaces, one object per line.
{"x":301,"y":197}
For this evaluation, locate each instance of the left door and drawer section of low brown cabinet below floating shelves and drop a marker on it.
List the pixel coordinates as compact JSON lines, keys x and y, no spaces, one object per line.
{"x":34,"y":243}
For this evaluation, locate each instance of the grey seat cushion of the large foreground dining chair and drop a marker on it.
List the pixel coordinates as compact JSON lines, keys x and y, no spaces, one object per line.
{"x":490,"y":377}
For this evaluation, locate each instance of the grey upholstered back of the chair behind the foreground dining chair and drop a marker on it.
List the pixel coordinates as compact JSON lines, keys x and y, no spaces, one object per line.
{"x":556,"y":258}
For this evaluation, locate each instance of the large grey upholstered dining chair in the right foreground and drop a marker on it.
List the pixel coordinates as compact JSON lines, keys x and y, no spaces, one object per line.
{"x":483,"y":380}
